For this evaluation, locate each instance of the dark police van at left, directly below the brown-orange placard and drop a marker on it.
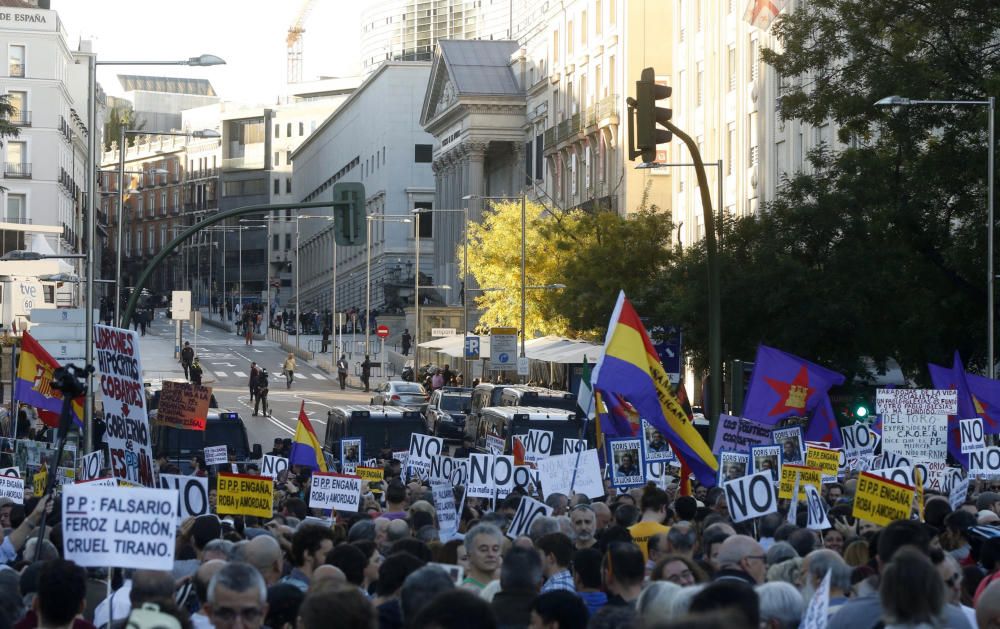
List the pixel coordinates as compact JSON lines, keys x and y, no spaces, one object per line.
{"x":222,"y":427}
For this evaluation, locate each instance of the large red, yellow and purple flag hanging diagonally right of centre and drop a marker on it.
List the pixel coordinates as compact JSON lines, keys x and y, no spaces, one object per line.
{"x":630,"y":372}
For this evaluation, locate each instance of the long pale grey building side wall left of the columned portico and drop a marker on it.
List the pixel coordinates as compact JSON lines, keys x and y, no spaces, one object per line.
{"x":375,"y":139}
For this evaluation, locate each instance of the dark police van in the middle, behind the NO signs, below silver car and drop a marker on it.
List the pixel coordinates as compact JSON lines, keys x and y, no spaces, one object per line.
{"x":384,"y":429}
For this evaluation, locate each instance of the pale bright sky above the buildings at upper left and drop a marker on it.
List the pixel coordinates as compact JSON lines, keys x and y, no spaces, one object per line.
{"x":248,"y":34}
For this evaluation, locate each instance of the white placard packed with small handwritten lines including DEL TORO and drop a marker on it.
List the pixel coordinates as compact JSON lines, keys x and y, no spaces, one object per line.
{"x":915,"y":421}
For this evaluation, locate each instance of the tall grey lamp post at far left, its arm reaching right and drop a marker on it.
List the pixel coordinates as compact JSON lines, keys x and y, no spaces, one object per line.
{"x":91,"y":226}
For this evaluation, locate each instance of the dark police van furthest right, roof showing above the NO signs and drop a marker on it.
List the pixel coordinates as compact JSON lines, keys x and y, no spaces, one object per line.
{"x":496,"y":424}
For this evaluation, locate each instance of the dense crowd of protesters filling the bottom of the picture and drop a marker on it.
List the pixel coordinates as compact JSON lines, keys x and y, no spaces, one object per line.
{"x":643,"y":557}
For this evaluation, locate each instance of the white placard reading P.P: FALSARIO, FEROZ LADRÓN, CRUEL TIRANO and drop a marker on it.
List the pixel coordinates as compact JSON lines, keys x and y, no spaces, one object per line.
{"x":106,"y":527}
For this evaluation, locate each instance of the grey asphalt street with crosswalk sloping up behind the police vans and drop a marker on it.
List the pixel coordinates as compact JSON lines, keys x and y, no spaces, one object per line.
{"x":226,"y":360}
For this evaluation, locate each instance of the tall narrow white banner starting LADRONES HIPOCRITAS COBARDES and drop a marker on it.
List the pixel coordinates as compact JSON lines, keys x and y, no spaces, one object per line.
{"x":124,"y":402}
